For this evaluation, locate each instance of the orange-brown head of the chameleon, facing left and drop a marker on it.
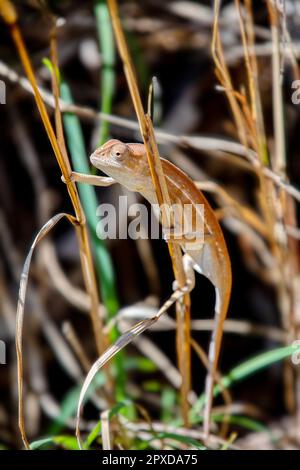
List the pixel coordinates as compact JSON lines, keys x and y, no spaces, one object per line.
{"x":126,"y":163}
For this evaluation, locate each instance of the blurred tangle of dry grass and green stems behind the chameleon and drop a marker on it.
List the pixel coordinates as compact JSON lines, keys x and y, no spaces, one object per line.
{"x":170,"y":40}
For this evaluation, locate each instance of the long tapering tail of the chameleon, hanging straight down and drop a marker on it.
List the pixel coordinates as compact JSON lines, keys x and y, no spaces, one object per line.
{"x":221,"y":308}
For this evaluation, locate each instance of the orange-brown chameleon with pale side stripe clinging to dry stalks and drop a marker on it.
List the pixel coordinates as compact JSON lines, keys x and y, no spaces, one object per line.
{"x":127,"y":164}
